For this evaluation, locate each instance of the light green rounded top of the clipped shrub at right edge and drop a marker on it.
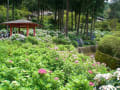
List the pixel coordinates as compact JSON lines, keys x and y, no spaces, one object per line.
{"x":110,"y":45}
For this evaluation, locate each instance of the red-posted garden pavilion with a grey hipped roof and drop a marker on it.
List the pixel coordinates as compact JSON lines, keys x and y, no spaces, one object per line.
{"x":21,"y":24}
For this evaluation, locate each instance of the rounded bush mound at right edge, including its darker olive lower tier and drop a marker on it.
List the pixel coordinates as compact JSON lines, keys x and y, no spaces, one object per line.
{"x":109,"y":50}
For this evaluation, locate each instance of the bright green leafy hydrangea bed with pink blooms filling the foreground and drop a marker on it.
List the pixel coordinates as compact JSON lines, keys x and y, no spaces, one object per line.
{"x":20,"y":63}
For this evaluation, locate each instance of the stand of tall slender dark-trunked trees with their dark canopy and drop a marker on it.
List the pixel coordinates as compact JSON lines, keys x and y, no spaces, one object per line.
{"x":81,"y":14}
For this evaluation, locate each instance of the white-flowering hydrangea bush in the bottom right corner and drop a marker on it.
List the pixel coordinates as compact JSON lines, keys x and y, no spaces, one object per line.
{"x":109,"y":81}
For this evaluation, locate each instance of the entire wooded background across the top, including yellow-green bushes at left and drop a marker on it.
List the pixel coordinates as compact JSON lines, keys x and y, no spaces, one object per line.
{"x":67,"y":15}
